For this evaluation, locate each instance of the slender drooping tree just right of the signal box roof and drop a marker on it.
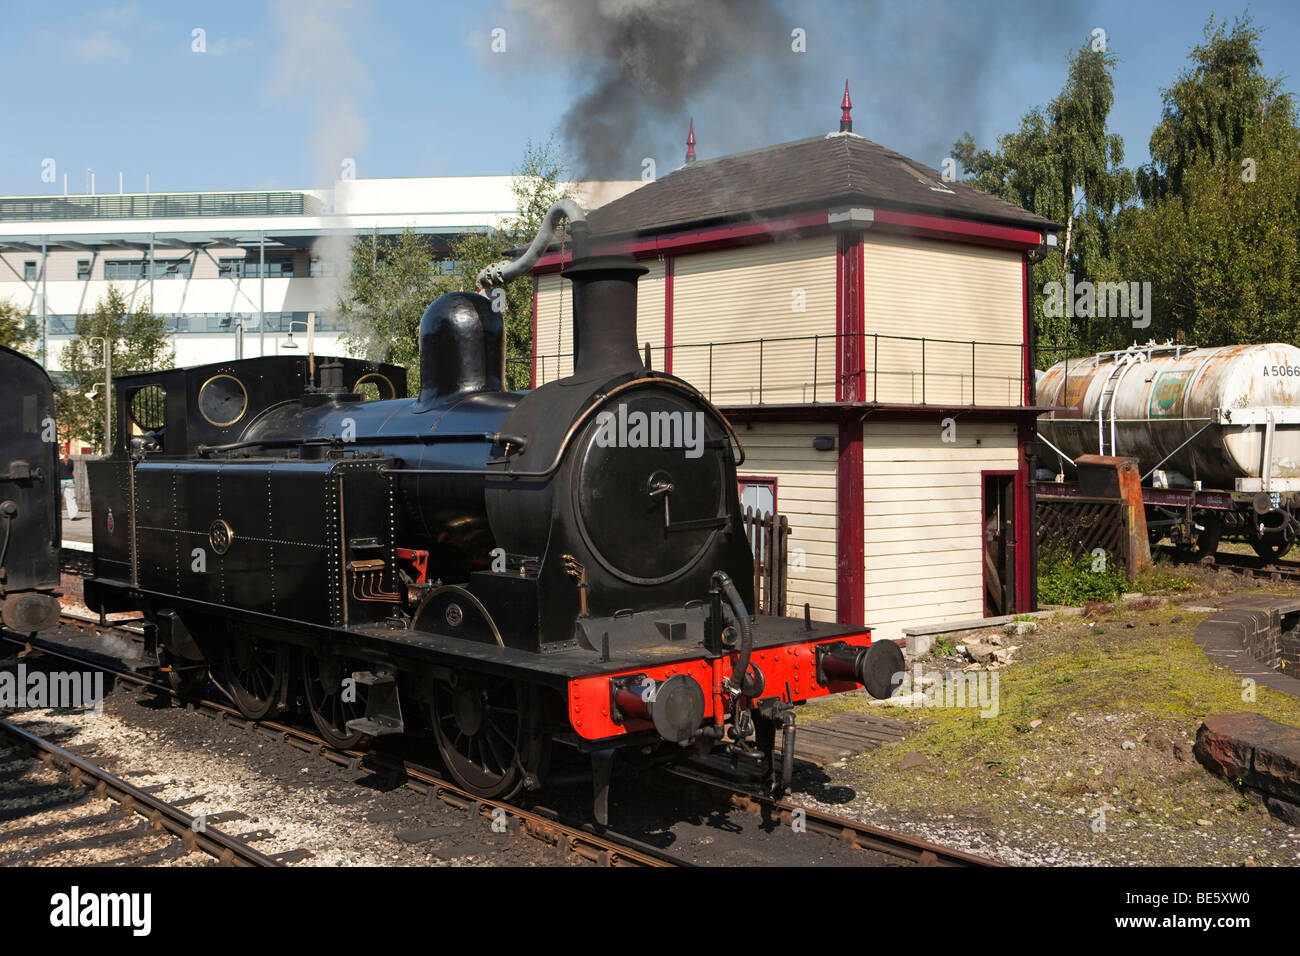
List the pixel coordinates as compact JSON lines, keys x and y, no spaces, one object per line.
{"x":1063,"y":165}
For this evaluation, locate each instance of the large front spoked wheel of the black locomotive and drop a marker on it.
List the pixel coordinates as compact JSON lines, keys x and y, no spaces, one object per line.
{"x":489,"y":734}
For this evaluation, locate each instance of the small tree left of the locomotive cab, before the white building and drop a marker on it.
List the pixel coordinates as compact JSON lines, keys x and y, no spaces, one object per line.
{"x":141,"y":343}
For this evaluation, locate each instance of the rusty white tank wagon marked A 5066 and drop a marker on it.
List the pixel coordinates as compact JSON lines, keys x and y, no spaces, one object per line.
{"x":1216,"y":434}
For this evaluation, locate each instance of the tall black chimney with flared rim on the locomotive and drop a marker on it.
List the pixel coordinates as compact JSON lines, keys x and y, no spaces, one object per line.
{"x":605,"y":314}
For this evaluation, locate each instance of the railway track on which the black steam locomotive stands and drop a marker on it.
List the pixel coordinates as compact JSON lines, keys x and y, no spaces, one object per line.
{"x":567,"y":836}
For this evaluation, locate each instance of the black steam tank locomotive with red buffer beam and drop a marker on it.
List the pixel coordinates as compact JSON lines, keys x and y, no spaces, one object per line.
{"x":565,"y":566}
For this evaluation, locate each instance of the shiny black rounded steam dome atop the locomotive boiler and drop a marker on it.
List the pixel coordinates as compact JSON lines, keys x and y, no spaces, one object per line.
{"x":461,"y":347}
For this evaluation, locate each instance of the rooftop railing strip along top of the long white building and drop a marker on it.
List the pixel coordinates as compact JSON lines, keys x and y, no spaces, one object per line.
{"x":159,"y":206}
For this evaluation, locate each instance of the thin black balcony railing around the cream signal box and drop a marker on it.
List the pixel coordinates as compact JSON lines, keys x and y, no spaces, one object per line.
{"x":801,"y":370}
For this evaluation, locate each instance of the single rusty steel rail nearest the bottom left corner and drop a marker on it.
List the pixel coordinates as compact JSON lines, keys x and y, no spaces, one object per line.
{"x":162,"y":815}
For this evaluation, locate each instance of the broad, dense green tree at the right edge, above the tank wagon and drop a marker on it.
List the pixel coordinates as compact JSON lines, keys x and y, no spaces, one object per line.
{"x":1220,"y":233}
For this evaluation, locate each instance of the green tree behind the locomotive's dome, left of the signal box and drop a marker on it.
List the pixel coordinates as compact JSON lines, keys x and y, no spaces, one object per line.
{"x":392,"y":283}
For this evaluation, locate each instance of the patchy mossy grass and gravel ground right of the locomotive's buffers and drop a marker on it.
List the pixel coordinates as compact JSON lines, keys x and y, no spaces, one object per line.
{"x":1055,"y":752}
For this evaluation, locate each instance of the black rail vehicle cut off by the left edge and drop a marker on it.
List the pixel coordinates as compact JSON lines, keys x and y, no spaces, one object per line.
{"x":31,"y":521}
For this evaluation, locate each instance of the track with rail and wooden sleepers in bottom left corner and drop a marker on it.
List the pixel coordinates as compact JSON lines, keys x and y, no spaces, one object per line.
{"x":162,"y":816}
